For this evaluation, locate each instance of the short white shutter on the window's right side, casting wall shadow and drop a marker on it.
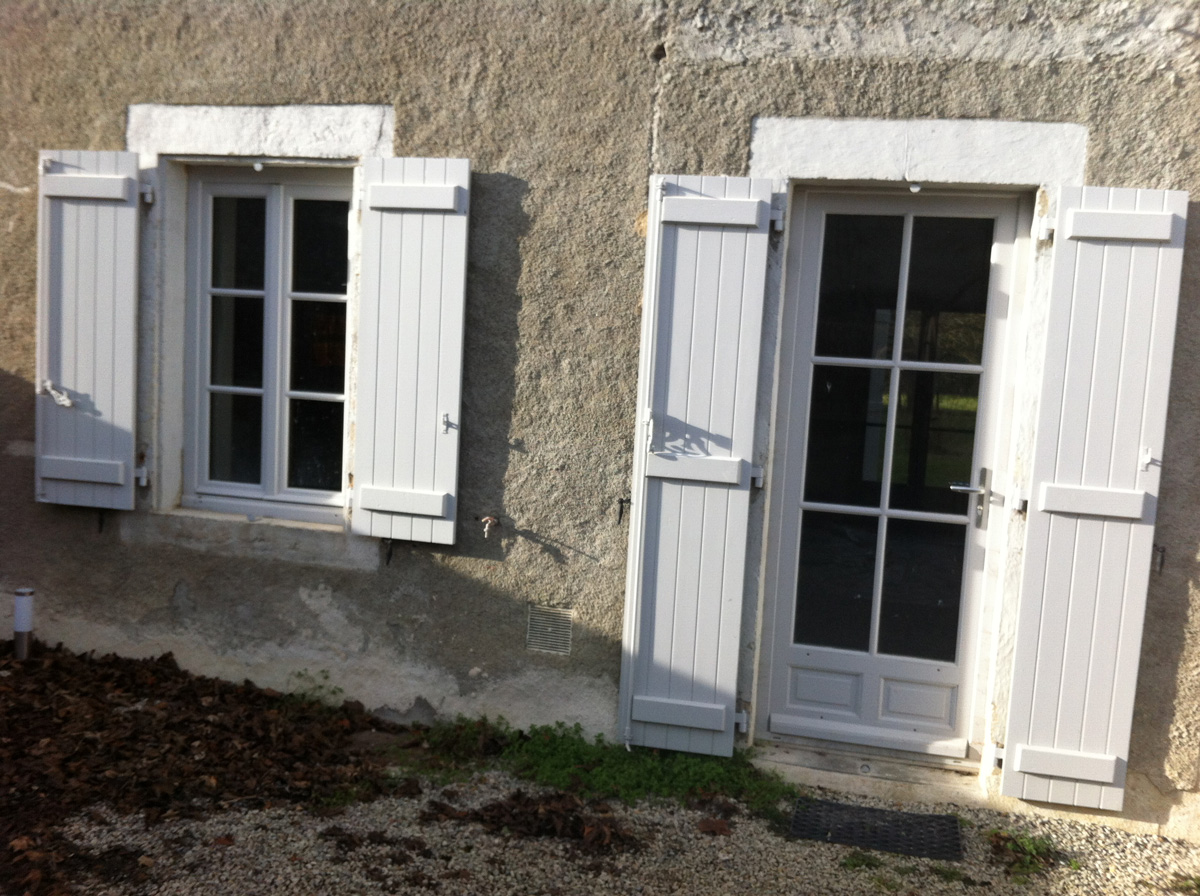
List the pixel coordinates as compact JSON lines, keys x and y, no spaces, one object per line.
{"x":410,"y":348}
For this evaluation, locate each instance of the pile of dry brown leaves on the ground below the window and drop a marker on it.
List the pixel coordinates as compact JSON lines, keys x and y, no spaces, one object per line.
{"x":145,"y":737}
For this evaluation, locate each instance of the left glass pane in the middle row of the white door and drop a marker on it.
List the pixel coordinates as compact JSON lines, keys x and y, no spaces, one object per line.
{"x":848,"y":422}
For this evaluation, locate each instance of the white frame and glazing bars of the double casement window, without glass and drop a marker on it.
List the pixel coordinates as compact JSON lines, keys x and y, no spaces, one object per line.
{"x":280,"y":187}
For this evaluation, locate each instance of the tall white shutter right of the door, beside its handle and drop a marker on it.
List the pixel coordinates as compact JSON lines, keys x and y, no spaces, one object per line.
{"x":1095,"y":490}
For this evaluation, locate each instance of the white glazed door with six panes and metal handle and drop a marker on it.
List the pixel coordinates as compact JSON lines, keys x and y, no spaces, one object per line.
{"x":889,"y":332}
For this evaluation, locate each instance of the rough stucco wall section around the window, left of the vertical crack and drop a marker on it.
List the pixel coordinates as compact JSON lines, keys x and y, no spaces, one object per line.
{"x":550,"y":103}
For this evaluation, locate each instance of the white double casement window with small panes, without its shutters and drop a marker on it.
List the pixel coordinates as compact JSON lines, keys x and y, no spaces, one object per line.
{"x":268,"y":341}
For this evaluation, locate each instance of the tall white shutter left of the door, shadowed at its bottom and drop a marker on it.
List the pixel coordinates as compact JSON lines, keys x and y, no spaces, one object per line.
{"x":703,"y":324}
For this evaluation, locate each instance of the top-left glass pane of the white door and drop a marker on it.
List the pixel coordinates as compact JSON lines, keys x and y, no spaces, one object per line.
{"x":860,"y":280}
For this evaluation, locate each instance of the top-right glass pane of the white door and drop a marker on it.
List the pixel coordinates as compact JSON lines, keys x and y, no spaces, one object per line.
{"x":947,"y":298}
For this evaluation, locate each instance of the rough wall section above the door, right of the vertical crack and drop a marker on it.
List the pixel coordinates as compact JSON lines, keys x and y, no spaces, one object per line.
{"x":1131,"y":73}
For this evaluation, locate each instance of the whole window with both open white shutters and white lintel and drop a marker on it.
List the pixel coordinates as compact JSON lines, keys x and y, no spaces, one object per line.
{"x":295,"y":346}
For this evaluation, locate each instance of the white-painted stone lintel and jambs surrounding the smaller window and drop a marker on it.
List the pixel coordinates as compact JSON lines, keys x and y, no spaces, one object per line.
{"x":172,"y":140}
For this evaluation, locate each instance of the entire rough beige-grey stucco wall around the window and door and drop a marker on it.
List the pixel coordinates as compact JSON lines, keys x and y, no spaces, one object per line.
{"x":565,"y":109}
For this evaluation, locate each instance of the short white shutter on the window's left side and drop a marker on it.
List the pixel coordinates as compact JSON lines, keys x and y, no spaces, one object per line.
{"x":87,"y":328}
